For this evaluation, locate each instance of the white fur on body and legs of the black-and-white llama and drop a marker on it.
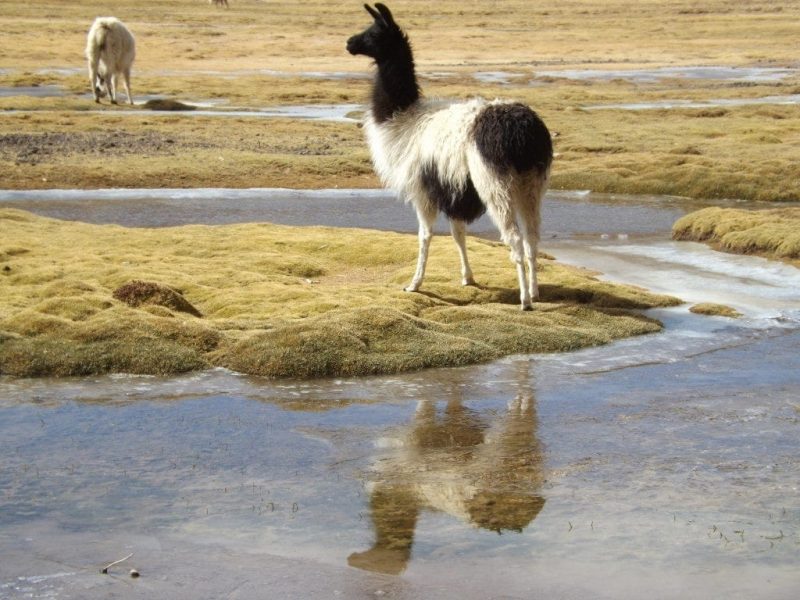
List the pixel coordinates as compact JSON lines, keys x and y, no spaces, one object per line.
{"x":439,"y":133}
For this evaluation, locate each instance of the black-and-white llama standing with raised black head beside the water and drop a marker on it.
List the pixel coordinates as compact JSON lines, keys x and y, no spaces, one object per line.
{"x":460,"y":158}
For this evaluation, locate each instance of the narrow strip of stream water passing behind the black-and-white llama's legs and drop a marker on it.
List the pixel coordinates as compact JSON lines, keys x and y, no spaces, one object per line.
{"x":565,"y":214}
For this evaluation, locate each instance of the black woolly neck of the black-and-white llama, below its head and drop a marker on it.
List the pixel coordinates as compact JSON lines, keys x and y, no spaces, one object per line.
{"x":395,"y":86}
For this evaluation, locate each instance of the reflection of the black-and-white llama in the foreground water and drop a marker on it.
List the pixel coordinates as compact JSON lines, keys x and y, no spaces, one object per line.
{"x":485,"y":471}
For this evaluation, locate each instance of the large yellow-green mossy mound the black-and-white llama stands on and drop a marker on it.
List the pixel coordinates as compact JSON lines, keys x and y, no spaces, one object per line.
{"x":80,"y":299}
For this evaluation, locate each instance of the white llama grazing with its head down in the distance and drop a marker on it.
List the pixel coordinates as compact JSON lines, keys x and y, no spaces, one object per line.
{"x":110,"y":50}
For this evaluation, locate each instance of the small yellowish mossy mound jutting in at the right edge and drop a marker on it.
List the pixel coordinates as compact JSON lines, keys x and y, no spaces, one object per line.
{"x":773,"y":233}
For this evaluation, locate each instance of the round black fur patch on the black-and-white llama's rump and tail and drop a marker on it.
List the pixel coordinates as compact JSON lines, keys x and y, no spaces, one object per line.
{"x":511,"y":135}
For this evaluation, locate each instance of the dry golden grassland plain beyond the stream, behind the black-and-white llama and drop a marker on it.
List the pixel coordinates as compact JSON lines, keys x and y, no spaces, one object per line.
{"x":191,"y":51}
